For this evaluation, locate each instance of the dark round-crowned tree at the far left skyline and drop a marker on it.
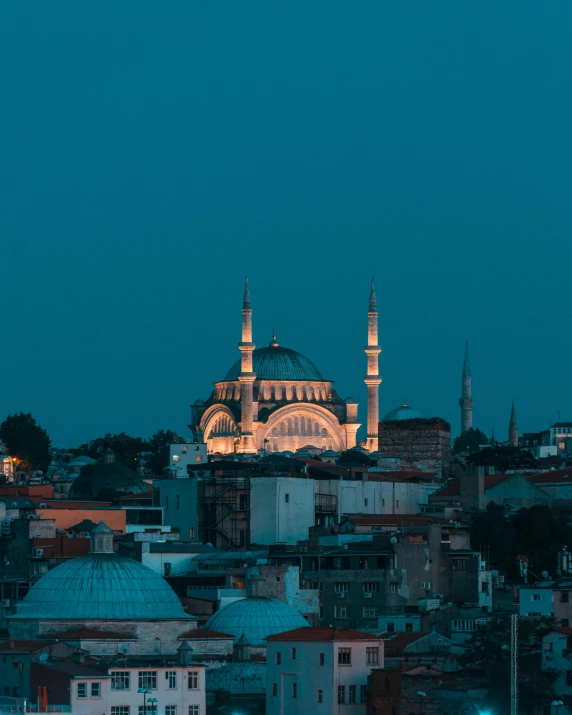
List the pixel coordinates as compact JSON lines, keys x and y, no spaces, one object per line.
{"x":27,"y":442}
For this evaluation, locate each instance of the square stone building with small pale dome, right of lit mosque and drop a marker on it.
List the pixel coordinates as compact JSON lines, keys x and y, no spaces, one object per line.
{"x":407,"y":440}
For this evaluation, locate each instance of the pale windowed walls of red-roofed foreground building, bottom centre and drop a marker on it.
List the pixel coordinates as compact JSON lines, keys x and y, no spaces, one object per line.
{"x":309,"y":676}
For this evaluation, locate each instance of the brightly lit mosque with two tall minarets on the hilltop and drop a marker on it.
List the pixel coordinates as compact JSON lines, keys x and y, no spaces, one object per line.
{"x":273,"y":399}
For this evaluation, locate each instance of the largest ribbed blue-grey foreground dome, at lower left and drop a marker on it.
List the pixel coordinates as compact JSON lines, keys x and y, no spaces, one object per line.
{"x":101,"y":586}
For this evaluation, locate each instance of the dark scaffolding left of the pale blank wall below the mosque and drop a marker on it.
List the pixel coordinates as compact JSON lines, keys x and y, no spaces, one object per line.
{"x":224,"y":512}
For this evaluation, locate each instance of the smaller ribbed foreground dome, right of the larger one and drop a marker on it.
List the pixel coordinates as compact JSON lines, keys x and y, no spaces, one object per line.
{"x":256,"y":618}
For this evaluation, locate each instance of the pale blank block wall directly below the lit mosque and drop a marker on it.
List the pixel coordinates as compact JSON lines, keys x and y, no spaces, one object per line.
{"x":281,"y":510}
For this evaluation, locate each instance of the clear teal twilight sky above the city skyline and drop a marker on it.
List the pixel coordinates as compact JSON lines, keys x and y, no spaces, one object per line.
{"x":155,"y":153}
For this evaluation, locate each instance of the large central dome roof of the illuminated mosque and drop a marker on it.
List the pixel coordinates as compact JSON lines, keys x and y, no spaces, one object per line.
{"x":278,"y":363}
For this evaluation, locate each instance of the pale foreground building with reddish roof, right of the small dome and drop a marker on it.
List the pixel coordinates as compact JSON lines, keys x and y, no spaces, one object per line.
{"x":320,"y":669}
